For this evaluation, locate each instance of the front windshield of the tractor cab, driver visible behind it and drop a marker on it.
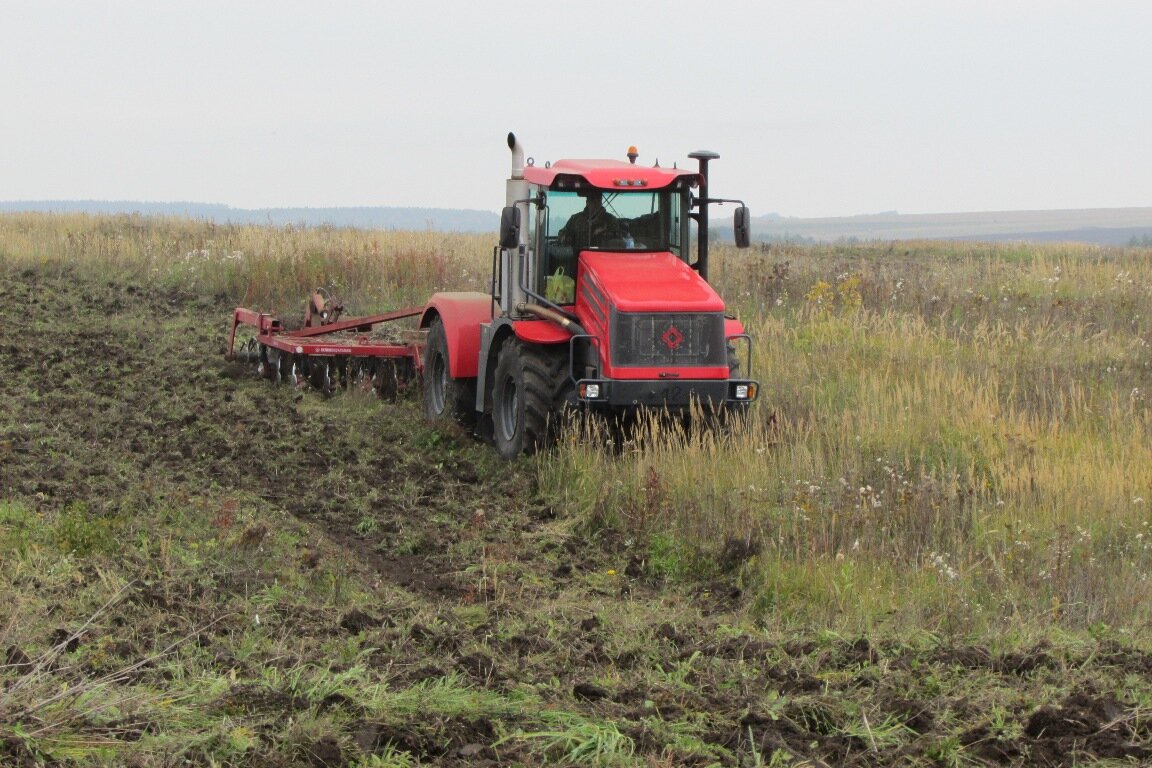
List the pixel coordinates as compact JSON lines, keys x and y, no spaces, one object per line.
{"x":617,"y":220}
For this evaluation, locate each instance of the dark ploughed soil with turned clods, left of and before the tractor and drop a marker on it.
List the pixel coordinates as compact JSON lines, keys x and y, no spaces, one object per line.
{"x":117,"y":398}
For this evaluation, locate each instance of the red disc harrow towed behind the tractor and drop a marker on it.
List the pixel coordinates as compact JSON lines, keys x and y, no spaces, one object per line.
{"x":331,"y":354}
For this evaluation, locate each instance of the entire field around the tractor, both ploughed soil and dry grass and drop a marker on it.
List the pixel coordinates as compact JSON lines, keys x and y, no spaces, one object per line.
{"x":929,"y":546}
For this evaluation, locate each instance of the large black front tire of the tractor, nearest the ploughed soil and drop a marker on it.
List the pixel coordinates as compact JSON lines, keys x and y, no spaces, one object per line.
{"x":532,"y":394}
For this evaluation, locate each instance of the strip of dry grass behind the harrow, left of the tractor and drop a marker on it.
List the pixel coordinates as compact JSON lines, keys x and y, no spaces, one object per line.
{"x":264,"y":268}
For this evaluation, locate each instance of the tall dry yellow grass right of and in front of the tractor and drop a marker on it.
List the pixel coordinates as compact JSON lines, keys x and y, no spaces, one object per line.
{"x":949,"y":437}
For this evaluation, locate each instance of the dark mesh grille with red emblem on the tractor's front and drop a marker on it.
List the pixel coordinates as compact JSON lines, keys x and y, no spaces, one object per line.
{"x":684,"y":340}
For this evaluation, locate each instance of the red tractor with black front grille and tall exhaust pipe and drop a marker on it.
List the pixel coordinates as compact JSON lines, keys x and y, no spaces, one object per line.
{"x":597,"y":303}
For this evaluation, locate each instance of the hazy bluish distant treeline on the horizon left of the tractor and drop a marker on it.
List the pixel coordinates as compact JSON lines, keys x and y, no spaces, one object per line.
{"x":363,"y":218}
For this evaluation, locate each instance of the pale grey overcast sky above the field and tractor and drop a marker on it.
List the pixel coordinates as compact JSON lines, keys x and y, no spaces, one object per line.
{"x":816,"y":108}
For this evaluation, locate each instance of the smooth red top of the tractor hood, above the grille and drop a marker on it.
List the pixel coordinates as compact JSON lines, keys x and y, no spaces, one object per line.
{"x":648,"y":283}
